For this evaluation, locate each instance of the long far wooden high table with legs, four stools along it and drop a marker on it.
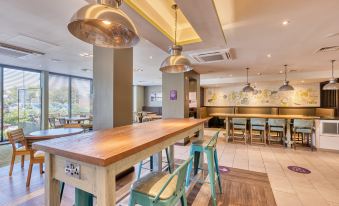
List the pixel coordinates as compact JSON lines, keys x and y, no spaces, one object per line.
{"x":288,"y":118}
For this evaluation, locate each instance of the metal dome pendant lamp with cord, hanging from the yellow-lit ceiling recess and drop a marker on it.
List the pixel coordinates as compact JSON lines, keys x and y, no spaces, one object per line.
{"x":176,"y":62}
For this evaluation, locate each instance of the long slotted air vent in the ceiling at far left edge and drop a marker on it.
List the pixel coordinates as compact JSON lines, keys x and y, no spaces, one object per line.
{"x":17,"y":52}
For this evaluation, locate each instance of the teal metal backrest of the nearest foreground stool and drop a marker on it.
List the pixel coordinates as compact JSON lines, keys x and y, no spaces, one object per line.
{"x":180,"y":174}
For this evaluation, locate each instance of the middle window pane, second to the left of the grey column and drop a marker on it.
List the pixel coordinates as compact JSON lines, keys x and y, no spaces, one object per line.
{"x":58,"y":96}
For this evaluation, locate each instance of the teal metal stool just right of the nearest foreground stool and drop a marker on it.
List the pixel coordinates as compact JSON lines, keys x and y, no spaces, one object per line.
{"x":209,"y":148}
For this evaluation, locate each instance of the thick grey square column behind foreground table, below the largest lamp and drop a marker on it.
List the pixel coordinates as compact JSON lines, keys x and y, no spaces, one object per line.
{"x":112,"y":84}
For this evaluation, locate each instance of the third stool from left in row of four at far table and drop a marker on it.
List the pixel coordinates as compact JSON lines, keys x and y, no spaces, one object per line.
{"x":276,"y":130}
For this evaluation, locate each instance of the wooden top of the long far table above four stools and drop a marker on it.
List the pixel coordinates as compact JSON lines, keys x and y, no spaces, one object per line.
{"x":273,"y":116}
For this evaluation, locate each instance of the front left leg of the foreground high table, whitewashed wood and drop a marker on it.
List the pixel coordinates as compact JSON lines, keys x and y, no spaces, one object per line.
{"x":52,"y":186}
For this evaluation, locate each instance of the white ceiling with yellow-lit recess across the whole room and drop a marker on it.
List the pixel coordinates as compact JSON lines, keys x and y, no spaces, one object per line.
{"x":253,"y":29}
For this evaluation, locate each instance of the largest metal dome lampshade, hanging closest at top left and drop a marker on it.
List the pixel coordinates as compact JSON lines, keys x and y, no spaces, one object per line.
{"x":104,"y":25}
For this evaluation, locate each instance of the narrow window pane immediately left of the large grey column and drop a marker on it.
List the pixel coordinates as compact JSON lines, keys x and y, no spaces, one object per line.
{"x":81,"y":97}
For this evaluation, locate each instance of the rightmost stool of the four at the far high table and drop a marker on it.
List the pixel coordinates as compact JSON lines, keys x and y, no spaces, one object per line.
{"x":305,"y":128}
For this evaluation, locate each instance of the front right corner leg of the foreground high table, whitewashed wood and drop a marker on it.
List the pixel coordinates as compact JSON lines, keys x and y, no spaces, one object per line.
{"x":105,"y":186}
